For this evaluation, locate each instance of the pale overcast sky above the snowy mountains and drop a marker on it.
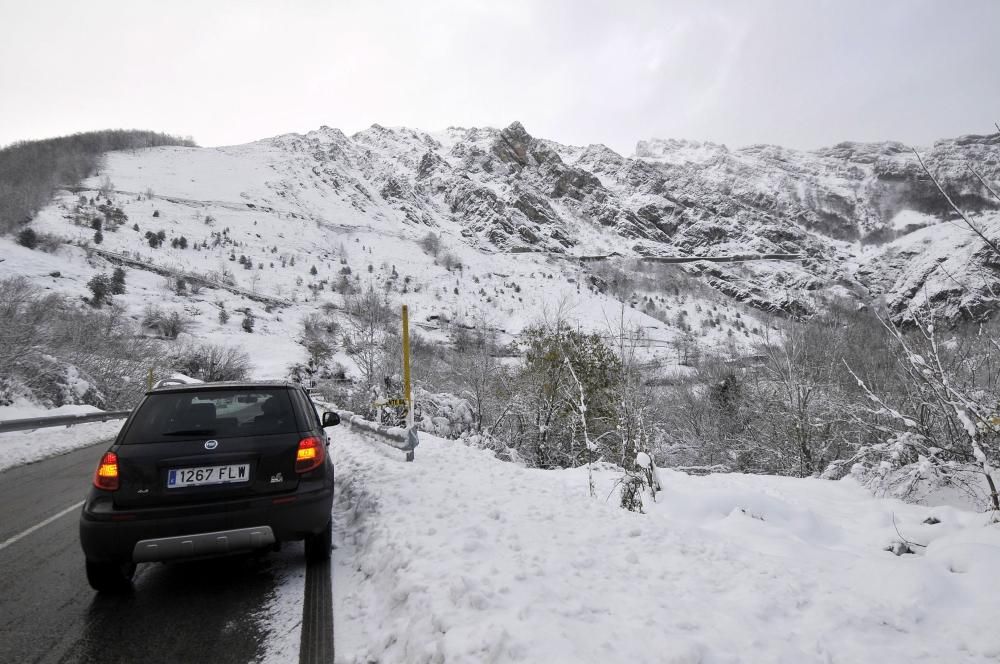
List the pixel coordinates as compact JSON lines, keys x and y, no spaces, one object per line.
{"x":795,"y":72}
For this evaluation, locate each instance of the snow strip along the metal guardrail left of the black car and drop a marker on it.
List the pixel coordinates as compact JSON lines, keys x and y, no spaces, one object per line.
{"x":20,"y":447}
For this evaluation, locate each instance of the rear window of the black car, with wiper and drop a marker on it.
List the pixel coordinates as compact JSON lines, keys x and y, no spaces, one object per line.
{"x":215,"y":414}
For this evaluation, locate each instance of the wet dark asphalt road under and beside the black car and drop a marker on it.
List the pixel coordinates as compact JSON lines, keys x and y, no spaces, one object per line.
{"x":179,"y":613}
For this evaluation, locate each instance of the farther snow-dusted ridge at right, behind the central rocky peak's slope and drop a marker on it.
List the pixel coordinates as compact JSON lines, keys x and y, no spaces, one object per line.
{"x":852,"y":191}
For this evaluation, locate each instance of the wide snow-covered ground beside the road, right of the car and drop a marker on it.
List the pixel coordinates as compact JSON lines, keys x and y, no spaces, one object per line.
{"x":458,"y":557}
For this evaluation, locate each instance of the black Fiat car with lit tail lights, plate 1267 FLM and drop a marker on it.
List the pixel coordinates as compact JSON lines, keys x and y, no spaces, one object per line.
{"x":205,"y":470}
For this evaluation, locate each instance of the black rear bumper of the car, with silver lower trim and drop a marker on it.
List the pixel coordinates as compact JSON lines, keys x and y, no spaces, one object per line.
{"x":115,"y":535}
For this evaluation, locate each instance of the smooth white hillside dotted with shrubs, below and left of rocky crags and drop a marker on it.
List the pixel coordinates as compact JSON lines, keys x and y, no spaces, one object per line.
{"x":287,"y":206}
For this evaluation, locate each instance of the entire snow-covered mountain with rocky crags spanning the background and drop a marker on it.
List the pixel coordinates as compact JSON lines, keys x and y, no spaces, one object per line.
{"x":519,"y":213}
